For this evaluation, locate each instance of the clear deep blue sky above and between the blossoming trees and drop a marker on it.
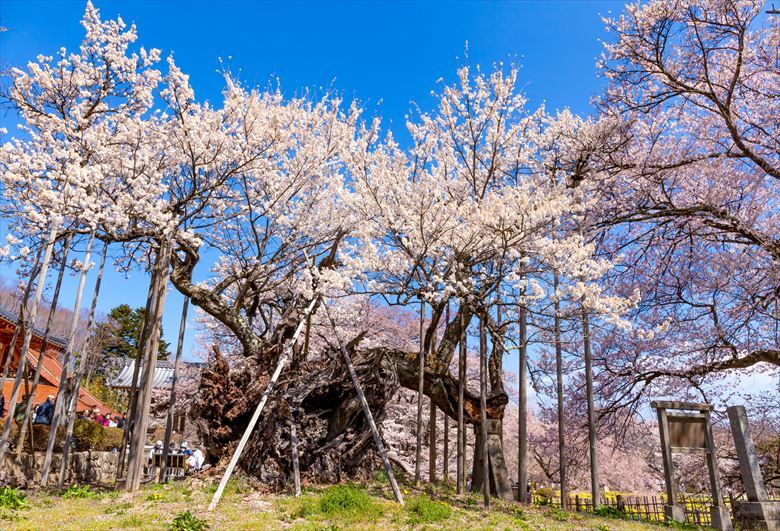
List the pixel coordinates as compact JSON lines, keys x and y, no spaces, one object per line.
{"x":384,"y":54}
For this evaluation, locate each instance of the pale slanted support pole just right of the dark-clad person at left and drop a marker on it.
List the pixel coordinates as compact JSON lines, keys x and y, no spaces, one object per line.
{"x":67,"y":366}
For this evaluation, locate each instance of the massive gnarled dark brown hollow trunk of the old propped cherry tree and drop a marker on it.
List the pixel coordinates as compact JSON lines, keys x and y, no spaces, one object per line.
{"x":334,"y":440}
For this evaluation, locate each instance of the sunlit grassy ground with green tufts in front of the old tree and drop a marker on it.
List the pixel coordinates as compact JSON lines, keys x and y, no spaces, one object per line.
{"x":319,"y":508}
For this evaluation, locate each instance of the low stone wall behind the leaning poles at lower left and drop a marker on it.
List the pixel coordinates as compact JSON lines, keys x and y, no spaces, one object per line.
{"x":90,"y":467}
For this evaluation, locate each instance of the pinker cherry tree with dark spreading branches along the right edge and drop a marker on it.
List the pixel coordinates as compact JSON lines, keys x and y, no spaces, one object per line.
{"x":685,"y":157}
